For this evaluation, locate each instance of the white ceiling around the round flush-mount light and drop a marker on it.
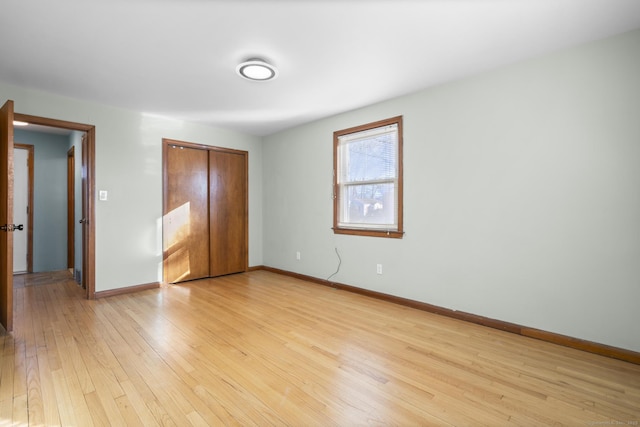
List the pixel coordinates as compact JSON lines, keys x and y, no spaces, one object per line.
{"x":177,"y":58}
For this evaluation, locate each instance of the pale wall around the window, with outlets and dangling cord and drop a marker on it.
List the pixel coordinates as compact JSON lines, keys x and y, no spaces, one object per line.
{"x":522,"y":196}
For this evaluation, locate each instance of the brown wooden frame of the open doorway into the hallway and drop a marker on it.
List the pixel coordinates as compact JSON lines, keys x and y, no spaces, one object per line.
{"x":89,"y":227}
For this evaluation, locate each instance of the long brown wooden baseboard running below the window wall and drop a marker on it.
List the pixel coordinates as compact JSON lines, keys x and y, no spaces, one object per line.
{"x":552,"y":337}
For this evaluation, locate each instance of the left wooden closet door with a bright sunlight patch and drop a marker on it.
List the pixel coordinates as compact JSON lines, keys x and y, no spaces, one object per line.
{"x":186,"y":214}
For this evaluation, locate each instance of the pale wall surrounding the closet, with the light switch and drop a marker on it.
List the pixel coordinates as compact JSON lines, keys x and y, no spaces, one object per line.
{"x":129,"y":167}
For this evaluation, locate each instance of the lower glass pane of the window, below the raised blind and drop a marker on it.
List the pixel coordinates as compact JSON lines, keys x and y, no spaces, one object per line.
{"x":370,"y":205}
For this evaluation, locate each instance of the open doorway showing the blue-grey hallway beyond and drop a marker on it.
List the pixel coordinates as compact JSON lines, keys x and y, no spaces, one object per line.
{"x":40,"y":208}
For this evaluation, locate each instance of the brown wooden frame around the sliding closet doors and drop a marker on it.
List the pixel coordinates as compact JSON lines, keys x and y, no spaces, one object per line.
{"x":166,"y":145}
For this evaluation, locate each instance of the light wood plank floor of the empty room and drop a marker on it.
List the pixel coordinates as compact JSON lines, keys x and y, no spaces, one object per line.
{"x":264,"y":349}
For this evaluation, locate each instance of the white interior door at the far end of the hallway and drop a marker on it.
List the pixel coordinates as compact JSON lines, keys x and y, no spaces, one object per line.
{"x":20,"y":209}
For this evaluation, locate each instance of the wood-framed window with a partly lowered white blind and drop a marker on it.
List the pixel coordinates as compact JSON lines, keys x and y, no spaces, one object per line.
{"x":367,"y":162}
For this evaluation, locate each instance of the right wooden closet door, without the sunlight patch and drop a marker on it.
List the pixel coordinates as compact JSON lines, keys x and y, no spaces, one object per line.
{"x":228,"y":210}
